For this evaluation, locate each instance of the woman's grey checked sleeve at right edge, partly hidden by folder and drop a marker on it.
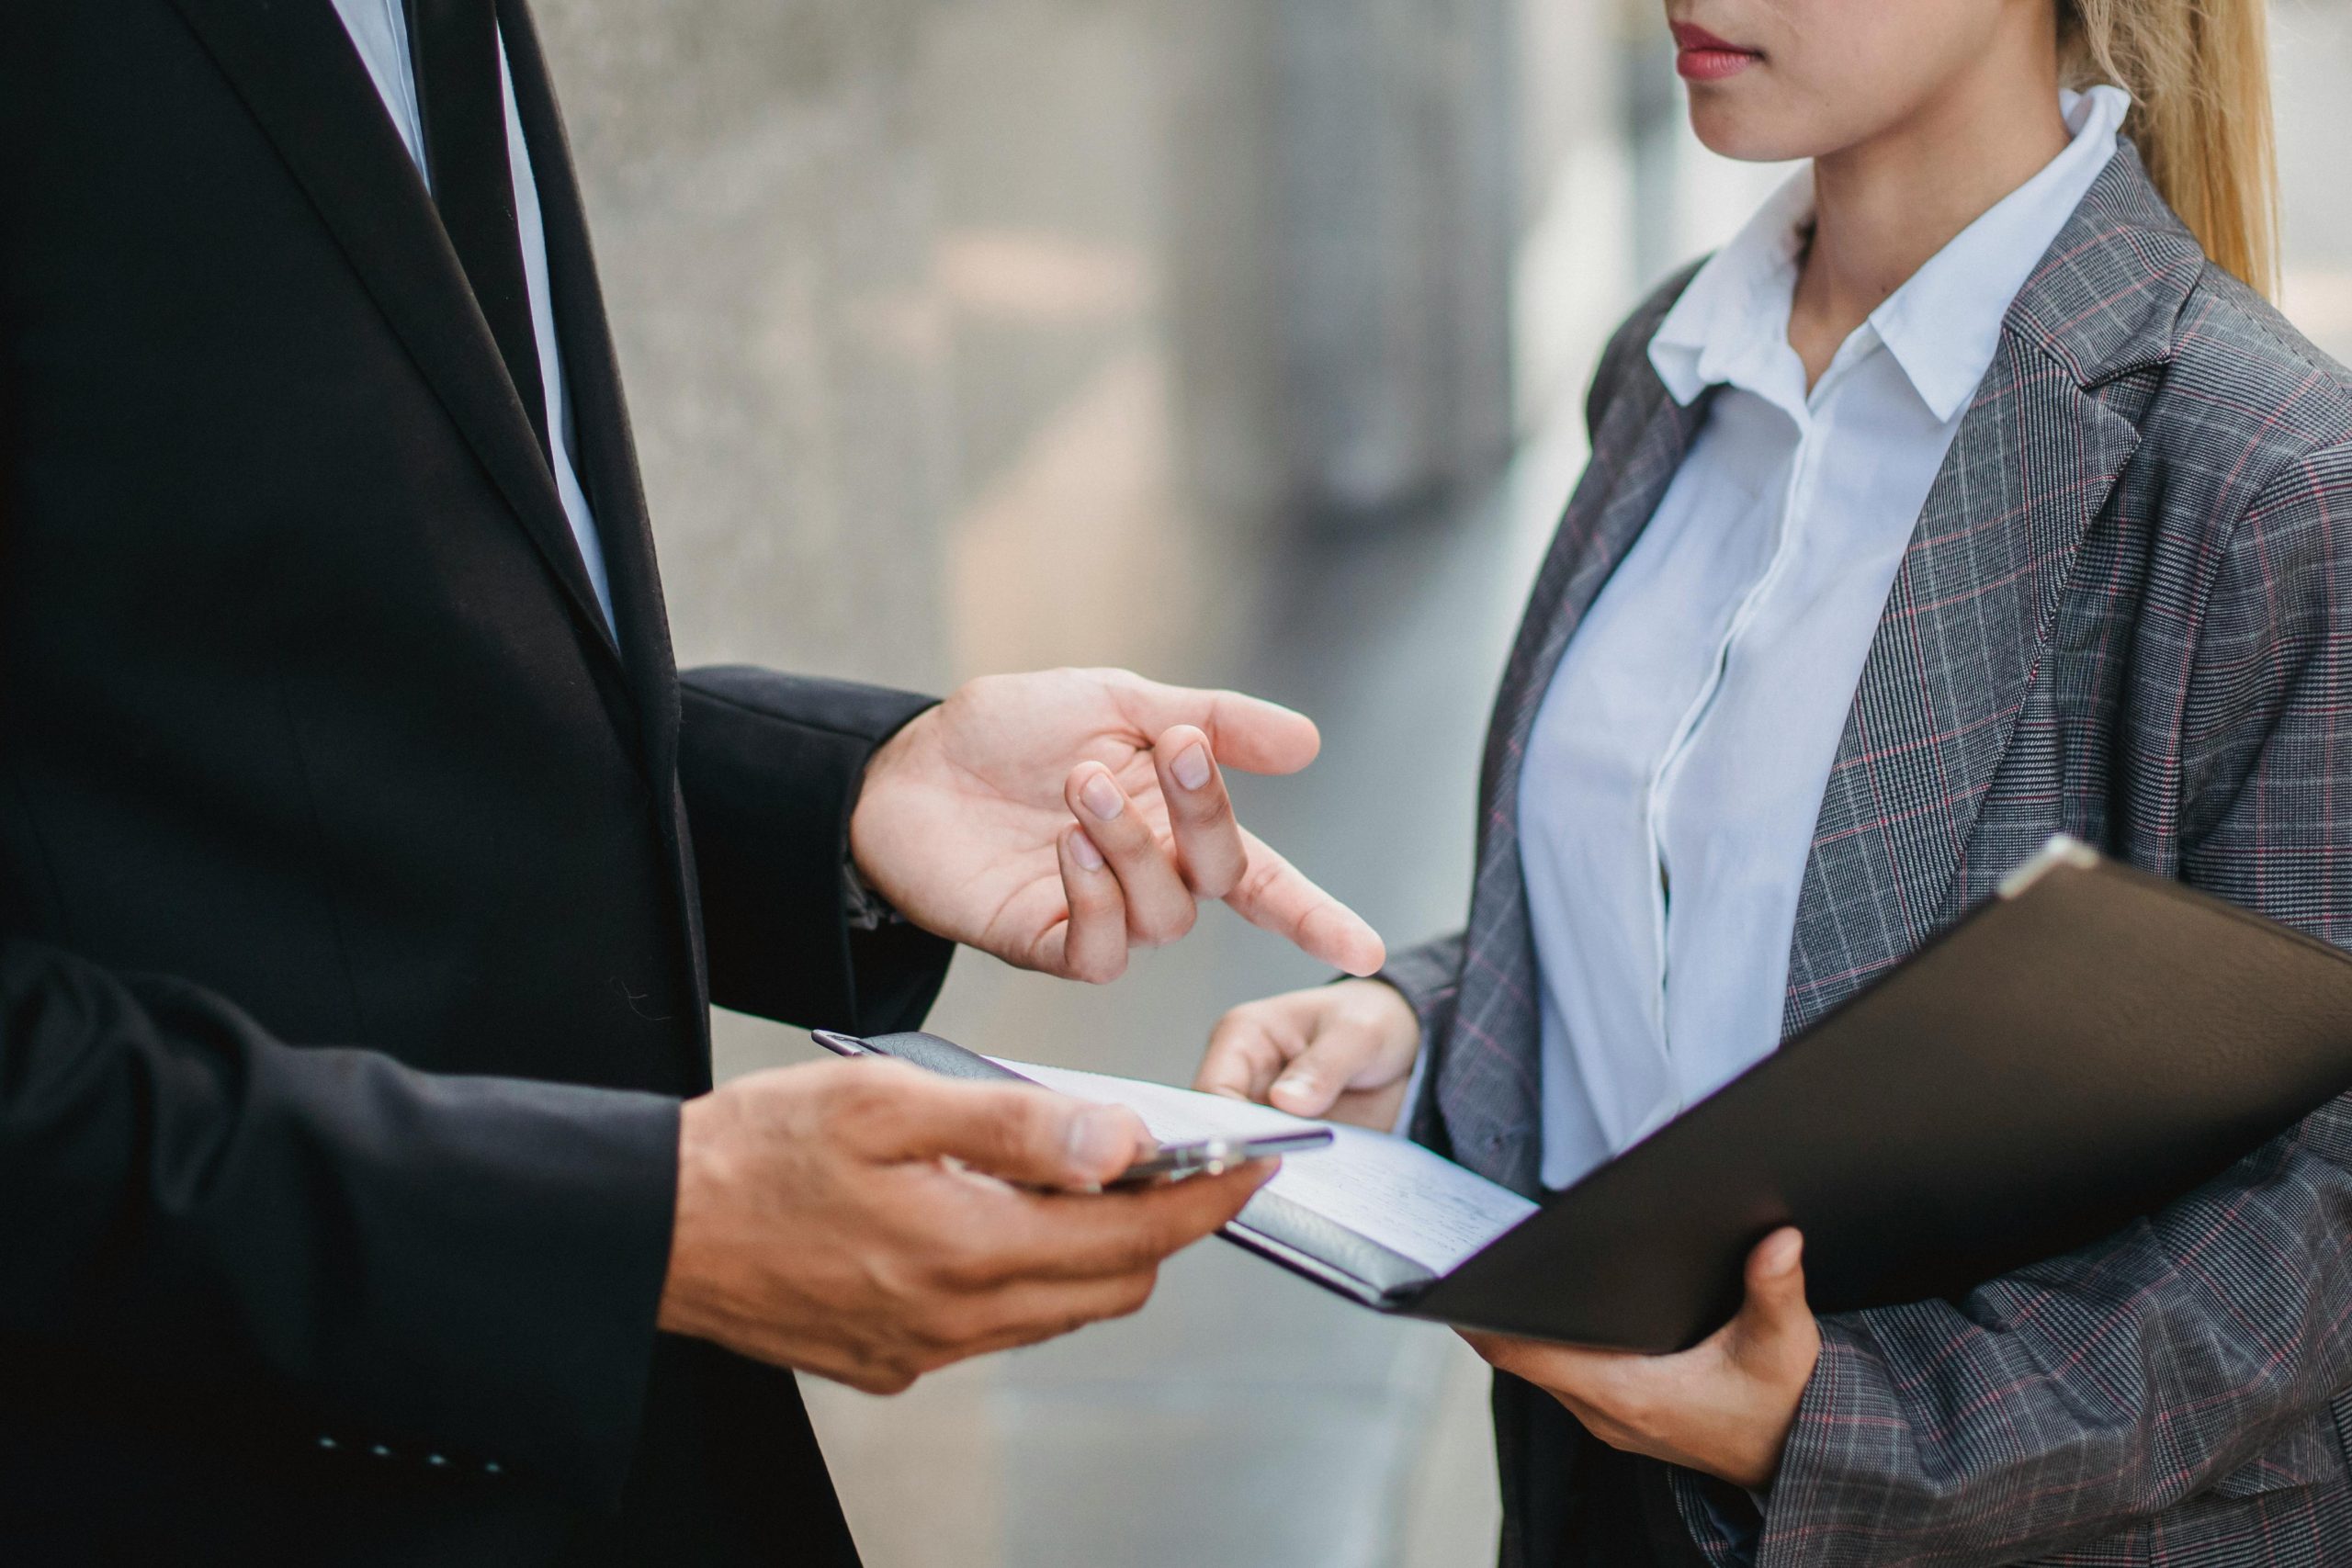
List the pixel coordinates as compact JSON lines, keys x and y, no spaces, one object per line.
{"x":2200,"y":1348}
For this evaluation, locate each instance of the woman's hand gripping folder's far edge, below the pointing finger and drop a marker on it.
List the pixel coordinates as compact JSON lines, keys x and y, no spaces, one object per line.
{"x":1342,"y":1052}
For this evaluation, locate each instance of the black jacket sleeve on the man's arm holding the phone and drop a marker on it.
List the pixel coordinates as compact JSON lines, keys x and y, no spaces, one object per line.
{"x":465,"y":1264}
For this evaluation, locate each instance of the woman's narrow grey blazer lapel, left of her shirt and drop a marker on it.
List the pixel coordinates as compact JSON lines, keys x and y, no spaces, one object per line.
{"x":1490,"y":1068}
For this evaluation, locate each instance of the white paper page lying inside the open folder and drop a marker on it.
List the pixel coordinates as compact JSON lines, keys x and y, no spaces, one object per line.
{"x":1375,"y":1184}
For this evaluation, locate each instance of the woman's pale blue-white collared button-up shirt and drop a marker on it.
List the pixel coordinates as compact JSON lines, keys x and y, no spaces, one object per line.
{"x":1678,"y":763}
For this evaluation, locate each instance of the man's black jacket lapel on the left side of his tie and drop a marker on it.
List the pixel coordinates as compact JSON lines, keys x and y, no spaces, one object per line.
{"x":305,"y":83}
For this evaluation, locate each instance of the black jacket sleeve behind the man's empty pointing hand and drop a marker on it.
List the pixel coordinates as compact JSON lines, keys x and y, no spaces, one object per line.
{"x":770,"y":768}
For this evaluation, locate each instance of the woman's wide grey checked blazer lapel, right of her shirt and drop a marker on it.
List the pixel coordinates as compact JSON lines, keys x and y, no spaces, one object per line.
{"x":1979,"y":591}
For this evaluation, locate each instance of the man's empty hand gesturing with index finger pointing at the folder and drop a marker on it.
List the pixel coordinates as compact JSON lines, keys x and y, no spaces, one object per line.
{"x":1067,"y":817}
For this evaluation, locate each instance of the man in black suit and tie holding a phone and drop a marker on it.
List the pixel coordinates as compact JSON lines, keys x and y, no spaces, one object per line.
{"x":366,"y":869}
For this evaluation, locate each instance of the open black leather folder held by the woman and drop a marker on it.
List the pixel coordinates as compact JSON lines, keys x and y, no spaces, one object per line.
{"x":2078,"y":1052}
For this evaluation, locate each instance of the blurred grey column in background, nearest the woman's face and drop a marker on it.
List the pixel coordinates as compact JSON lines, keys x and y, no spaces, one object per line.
{"x":1344,"y":210}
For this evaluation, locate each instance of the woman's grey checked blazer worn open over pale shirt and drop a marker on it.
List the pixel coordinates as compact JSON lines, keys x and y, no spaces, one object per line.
{"x":2125,"y":615}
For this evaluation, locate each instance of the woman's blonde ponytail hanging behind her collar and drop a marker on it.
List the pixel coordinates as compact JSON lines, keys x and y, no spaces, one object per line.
{"x":2198,"y":74}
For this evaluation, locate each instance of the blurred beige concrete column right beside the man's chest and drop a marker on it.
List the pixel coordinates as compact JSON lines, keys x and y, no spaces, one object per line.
{"x":763,"y":192}
